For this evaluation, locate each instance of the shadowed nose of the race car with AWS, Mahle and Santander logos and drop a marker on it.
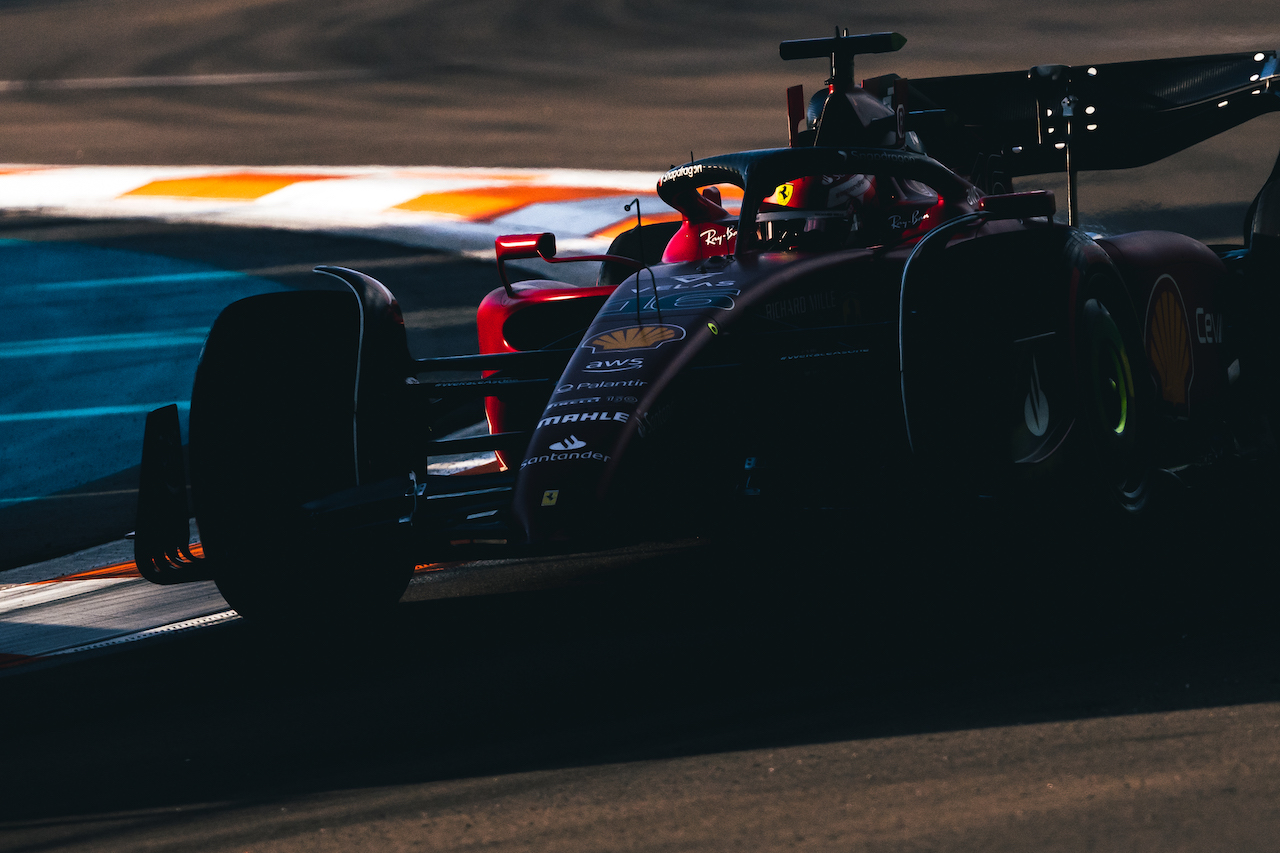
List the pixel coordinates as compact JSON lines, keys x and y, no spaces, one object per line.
{"x":696,"y":389}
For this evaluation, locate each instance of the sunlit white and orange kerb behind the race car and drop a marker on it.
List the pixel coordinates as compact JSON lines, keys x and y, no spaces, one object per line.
{"x":362,"y":202}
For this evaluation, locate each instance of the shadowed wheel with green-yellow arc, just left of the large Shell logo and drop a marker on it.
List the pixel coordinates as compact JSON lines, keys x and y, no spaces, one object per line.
{"x":1023,"y":371}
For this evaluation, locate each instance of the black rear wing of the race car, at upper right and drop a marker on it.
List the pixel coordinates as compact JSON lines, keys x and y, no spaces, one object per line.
{"x":1108,"y":117}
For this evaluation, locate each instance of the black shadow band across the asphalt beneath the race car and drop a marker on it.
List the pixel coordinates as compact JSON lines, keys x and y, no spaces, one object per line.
{"x":853,"y":632}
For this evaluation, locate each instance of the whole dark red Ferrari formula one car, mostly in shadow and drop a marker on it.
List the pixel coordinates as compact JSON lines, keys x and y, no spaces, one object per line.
{"x":872,"y":323}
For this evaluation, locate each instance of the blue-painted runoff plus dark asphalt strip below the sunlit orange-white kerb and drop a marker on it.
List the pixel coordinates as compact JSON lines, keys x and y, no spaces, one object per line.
{"x":90,"y":359}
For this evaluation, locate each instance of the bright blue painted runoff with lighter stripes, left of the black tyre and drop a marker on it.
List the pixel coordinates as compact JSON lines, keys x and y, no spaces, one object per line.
{"x":92,"y":340}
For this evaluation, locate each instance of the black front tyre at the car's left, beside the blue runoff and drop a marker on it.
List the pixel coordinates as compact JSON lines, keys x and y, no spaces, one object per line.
{"x":272,"y":428}
